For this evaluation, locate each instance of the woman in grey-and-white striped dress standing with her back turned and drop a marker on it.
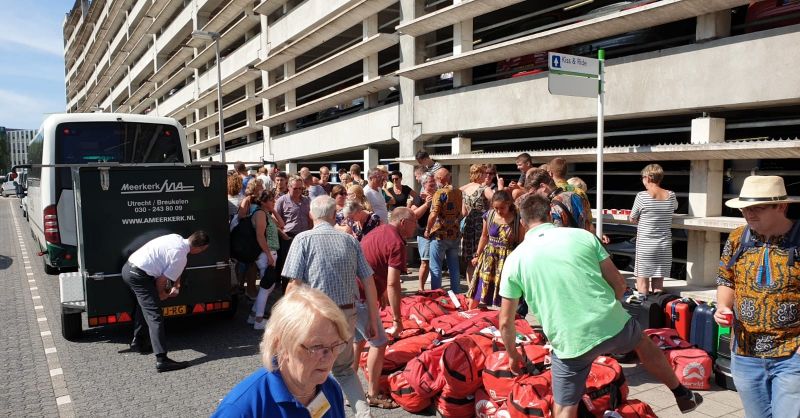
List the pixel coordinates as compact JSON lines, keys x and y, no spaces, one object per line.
{"x":652,"y":212}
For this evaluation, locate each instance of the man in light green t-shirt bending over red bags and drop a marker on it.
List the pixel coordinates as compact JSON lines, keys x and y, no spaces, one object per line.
{"x":573,"y":288}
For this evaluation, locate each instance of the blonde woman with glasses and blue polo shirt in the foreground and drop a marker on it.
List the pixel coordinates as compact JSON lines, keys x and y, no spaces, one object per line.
{"x":306,"y":333}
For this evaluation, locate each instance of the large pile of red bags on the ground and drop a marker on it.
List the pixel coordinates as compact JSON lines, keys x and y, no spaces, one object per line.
{"x":454,"y":361}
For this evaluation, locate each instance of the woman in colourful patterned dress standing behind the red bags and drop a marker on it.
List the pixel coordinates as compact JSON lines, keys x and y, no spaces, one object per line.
{"x":502,"y":232}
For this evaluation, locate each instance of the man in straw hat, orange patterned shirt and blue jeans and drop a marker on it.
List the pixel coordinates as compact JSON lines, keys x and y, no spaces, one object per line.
{"x":758,"y":294}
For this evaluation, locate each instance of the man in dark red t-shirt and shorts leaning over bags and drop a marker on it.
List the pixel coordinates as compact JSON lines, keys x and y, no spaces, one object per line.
{"x":385,"y":250}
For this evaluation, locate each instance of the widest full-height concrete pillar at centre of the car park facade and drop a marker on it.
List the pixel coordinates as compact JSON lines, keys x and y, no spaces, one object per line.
{"x":411,"y":52}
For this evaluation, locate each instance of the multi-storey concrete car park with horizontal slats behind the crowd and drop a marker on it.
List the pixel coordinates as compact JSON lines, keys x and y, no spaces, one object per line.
{"x":709,"y":88}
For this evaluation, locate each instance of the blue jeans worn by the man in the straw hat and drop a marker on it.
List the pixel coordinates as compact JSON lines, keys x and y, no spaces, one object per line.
{"x":768,"y":387}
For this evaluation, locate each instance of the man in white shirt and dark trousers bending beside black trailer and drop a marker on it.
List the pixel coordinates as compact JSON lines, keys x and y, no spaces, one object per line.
{"x":154,"y":271}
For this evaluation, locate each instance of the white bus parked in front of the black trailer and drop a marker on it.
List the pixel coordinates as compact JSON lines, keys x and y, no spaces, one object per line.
{"x":84,"y":138}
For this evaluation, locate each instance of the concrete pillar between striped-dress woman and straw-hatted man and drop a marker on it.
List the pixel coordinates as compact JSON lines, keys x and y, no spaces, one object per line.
{"x":705,"y":199}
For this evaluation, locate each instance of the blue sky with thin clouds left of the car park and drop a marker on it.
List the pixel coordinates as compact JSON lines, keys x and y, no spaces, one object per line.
{"x":31,"y":61}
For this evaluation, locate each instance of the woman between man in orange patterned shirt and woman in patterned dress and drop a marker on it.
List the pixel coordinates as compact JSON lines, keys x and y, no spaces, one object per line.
{"x":476,"y":202}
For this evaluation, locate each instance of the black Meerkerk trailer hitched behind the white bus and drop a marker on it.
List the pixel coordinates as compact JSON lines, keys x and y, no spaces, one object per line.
{"x":121,"y":207}
